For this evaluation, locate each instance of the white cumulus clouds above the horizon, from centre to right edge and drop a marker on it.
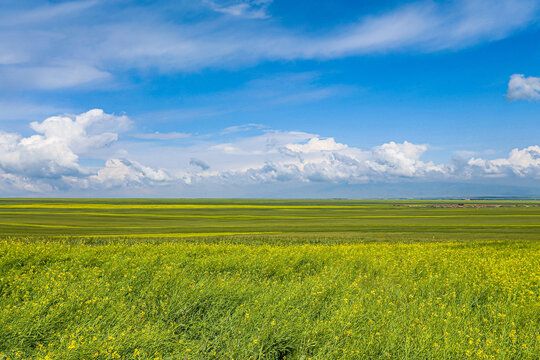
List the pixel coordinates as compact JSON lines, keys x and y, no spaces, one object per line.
{"x":316,"y":159}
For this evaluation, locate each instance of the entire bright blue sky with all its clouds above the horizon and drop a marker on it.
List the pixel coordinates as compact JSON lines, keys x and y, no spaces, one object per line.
{"x":269,"y":98}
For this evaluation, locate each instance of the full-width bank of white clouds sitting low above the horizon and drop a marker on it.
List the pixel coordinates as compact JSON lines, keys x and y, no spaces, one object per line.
{"x":55,"y":159}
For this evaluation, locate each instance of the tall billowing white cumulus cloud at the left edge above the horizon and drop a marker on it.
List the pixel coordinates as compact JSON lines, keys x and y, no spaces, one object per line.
{"x":50,"y":158}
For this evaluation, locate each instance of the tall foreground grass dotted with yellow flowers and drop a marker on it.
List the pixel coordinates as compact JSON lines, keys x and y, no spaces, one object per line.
{"x":188,"y":300}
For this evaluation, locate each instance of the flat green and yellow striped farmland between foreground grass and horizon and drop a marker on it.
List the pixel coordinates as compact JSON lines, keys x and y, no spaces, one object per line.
{"x":52,"y":217}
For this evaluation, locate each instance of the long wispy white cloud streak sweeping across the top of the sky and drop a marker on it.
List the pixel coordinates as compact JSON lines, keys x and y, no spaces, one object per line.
{"x":94,"y":47}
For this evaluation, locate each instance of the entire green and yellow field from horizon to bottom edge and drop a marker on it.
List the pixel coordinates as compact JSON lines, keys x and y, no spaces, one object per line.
{"x":269,"y":279}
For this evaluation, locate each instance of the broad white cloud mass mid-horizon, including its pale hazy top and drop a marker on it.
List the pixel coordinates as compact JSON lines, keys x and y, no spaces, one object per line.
{"x":304,"y":157}
